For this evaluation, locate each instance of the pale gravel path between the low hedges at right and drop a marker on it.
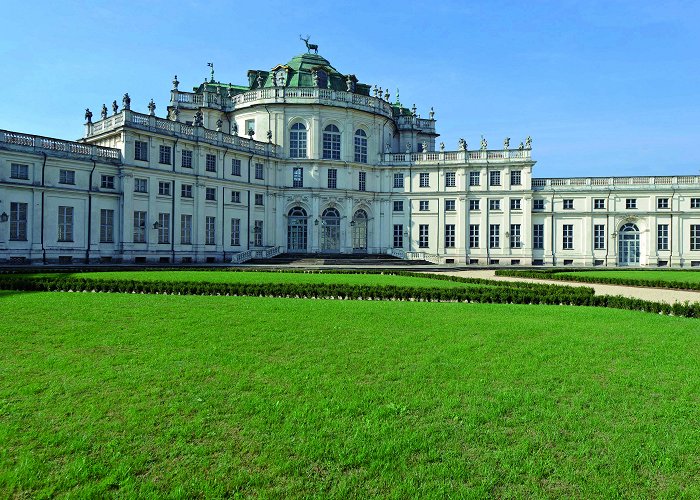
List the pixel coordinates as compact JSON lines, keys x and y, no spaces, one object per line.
{"x":654,"y":294}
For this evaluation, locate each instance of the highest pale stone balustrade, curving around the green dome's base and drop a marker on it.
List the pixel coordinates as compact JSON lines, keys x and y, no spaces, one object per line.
{"x":300,"y":95}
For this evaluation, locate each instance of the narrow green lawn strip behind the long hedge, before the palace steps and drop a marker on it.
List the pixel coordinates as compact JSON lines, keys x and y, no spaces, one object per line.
{"x":264,"y":277}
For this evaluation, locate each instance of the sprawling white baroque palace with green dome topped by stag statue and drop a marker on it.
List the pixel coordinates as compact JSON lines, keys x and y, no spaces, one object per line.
{"x":303,"y":159}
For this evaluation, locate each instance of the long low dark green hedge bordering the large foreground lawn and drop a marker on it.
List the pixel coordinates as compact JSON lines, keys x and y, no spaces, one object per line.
{"x":541,"y":294}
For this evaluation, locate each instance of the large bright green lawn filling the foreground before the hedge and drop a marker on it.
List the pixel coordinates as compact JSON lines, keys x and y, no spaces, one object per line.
{"x":189,"y":396}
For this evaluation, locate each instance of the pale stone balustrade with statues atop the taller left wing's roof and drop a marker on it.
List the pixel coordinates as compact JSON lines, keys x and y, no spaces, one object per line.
{"x":128,"y":118}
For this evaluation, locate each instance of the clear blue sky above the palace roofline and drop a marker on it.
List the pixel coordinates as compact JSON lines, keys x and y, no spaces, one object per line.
{"x":603,"y":88}
